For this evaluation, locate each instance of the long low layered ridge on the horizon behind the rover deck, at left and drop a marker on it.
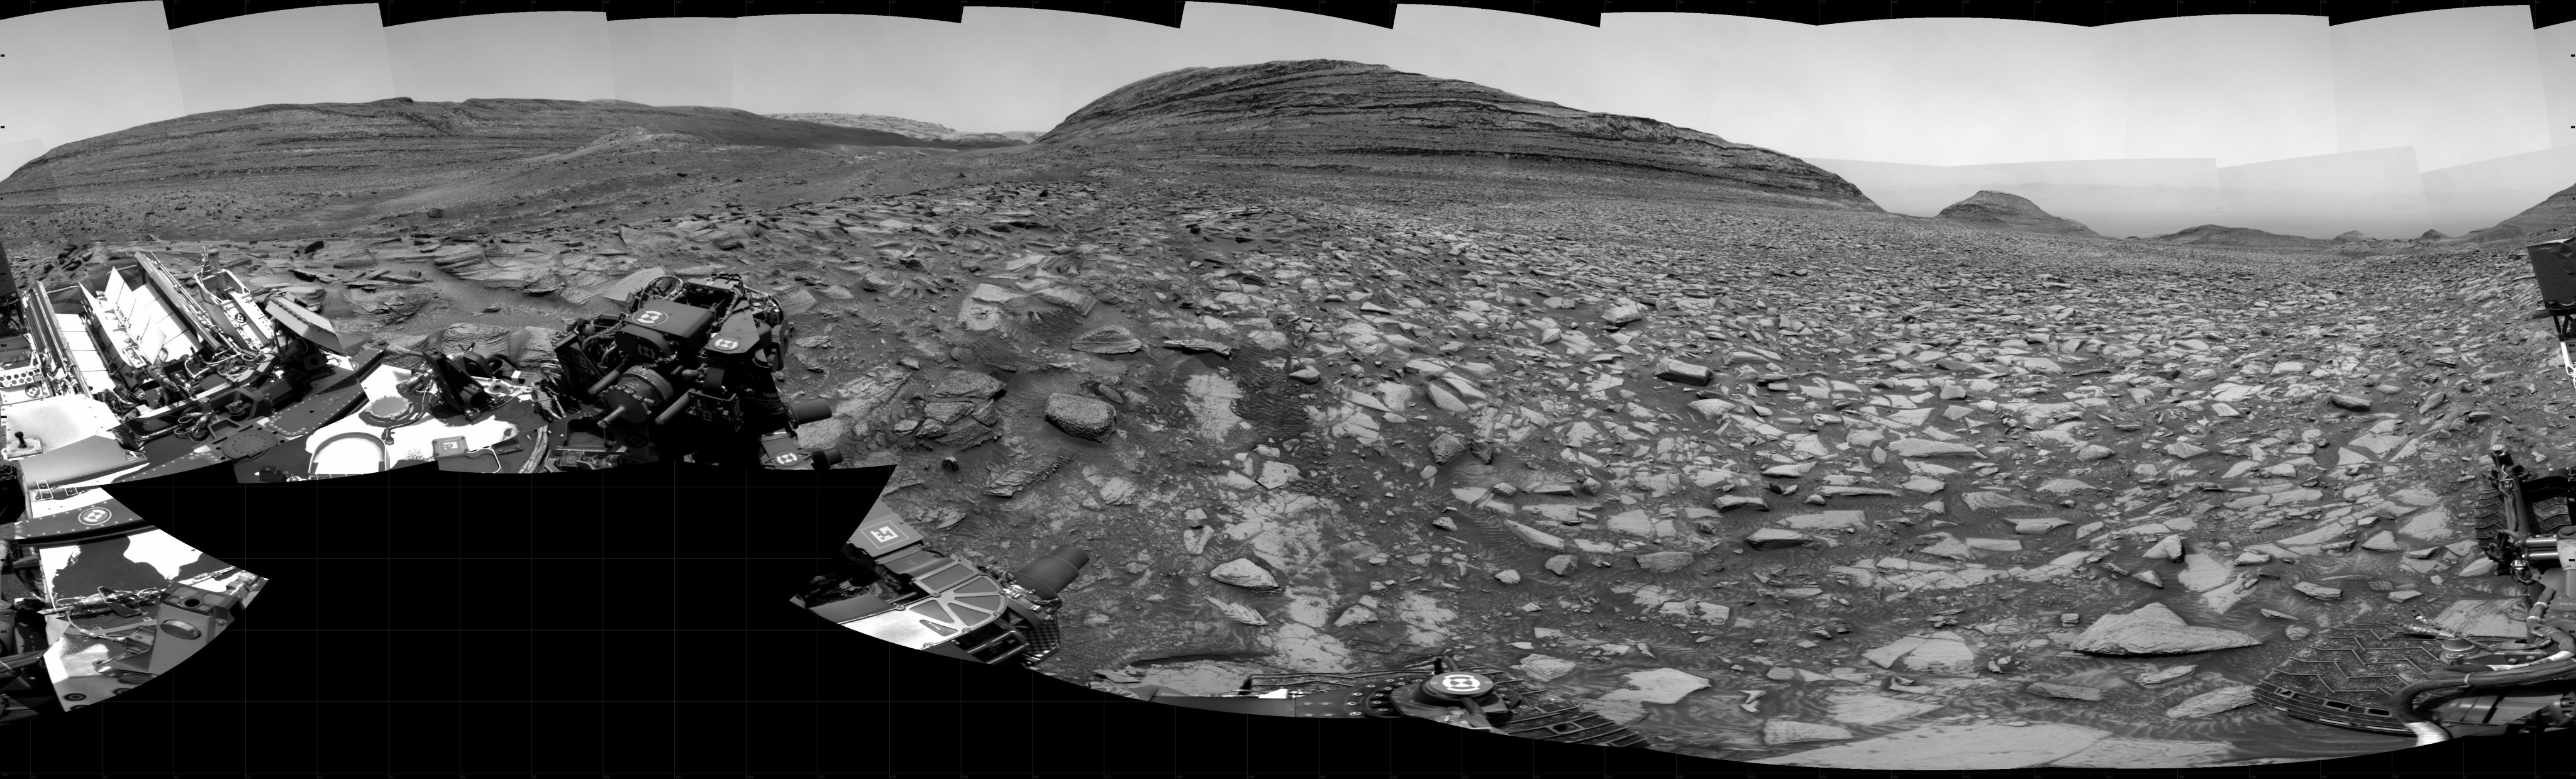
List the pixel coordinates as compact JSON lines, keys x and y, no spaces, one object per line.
{"x":401,"y":135}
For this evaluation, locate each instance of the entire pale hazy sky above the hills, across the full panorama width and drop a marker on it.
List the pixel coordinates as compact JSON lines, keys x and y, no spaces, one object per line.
{"x":2448,"y":102}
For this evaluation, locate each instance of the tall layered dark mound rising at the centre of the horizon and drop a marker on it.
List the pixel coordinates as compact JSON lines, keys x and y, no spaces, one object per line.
{"x":1328,"y":107}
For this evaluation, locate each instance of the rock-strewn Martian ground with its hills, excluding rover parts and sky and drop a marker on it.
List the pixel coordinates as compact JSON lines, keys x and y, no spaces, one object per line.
{"x":1333,"y":368}
